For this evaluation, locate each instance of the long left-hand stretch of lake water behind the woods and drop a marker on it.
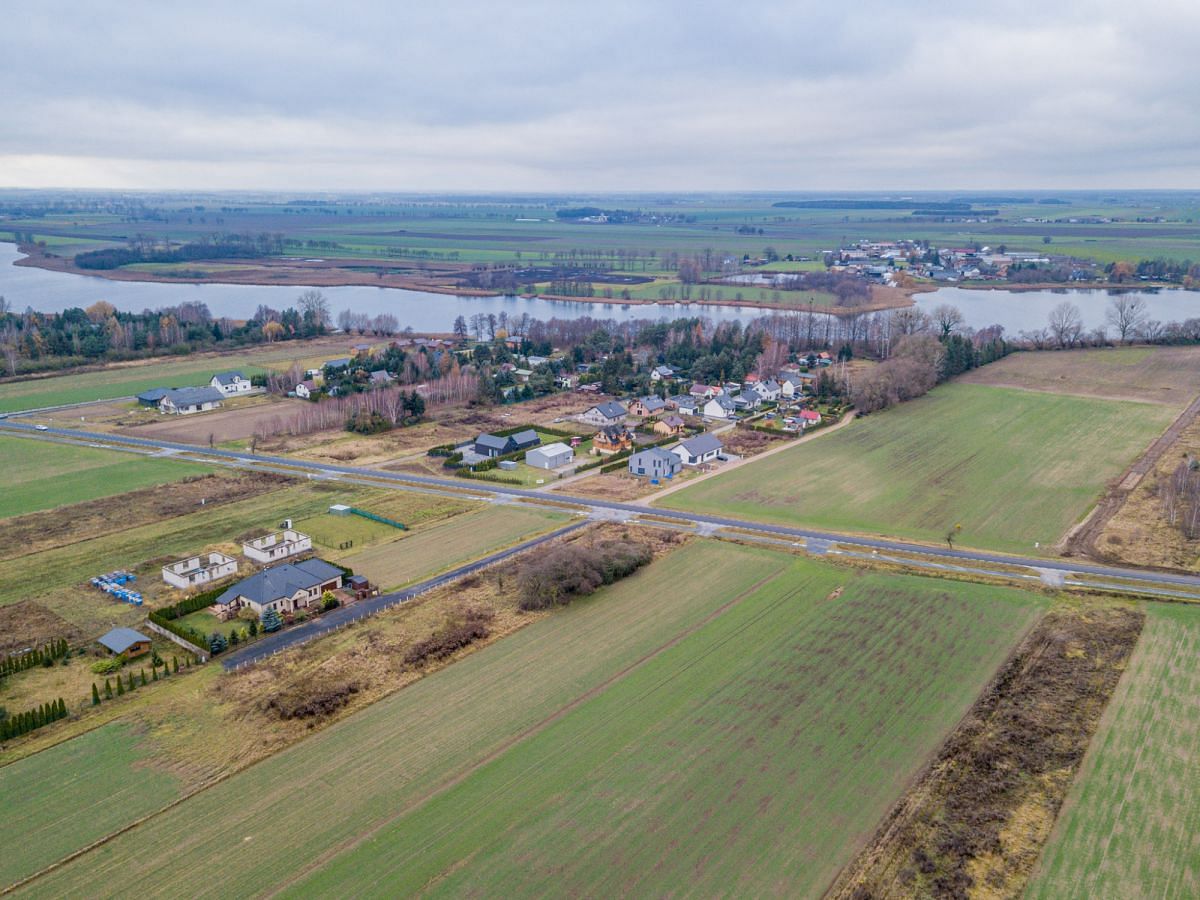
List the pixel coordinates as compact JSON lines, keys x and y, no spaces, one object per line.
{"x":53,"y":292}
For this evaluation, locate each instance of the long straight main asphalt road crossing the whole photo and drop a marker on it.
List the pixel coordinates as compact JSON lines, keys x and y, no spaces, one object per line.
{"x":481,"y":487}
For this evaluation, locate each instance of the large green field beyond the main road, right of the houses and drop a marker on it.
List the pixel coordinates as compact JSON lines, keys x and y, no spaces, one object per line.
{"x":1016,"y":469}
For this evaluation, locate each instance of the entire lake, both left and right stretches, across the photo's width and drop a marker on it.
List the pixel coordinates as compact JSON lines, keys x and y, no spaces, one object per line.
{"x":53,"y":292}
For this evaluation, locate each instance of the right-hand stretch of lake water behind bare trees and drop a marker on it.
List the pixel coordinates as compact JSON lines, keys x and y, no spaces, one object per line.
{"x":1029,"y":310}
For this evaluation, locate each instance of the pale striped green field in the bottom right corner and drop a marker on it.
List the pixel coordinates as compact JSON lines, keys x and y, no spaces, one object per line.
{"x":1131,"y":826}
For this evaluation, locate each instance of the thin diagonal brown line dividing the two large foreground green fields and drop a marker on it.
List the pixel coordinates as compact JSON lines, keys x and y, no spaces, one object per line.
{"x":521,"y":737}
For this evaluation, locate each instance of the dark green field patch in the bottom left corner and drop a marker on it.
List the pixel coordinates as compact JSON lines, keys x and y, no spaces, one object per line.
{"x":75,"y":794}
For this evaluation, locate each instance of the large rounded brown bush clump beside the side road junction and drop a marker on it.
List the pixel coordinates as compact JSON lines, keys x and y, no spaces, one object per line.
{"x":573,"y":571}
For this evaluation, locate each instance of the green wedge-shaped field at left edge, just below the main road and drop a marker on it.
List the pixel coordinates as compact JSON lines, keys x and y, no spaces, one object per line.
{"x":40,"y":475}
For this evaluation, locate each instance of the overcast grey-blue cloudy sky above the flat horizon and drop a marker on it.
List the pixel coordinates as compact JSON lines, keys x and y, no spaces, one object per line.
{"x":575,"y":97}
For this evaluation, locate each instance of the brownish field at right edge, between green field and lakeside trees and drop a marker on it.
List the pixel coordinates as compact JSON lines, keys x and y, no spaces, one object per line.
{"x":1157,"y":375}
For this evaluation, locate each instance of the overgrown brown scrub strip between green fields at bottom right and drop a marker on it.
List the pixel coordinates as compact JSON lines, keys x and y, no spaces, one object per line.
{"x":976,"y":823}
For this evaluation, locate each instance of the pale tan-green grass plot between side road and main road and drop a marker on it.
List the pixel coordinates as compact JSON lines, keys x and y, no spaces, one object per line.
{"x":419,"y":555}
